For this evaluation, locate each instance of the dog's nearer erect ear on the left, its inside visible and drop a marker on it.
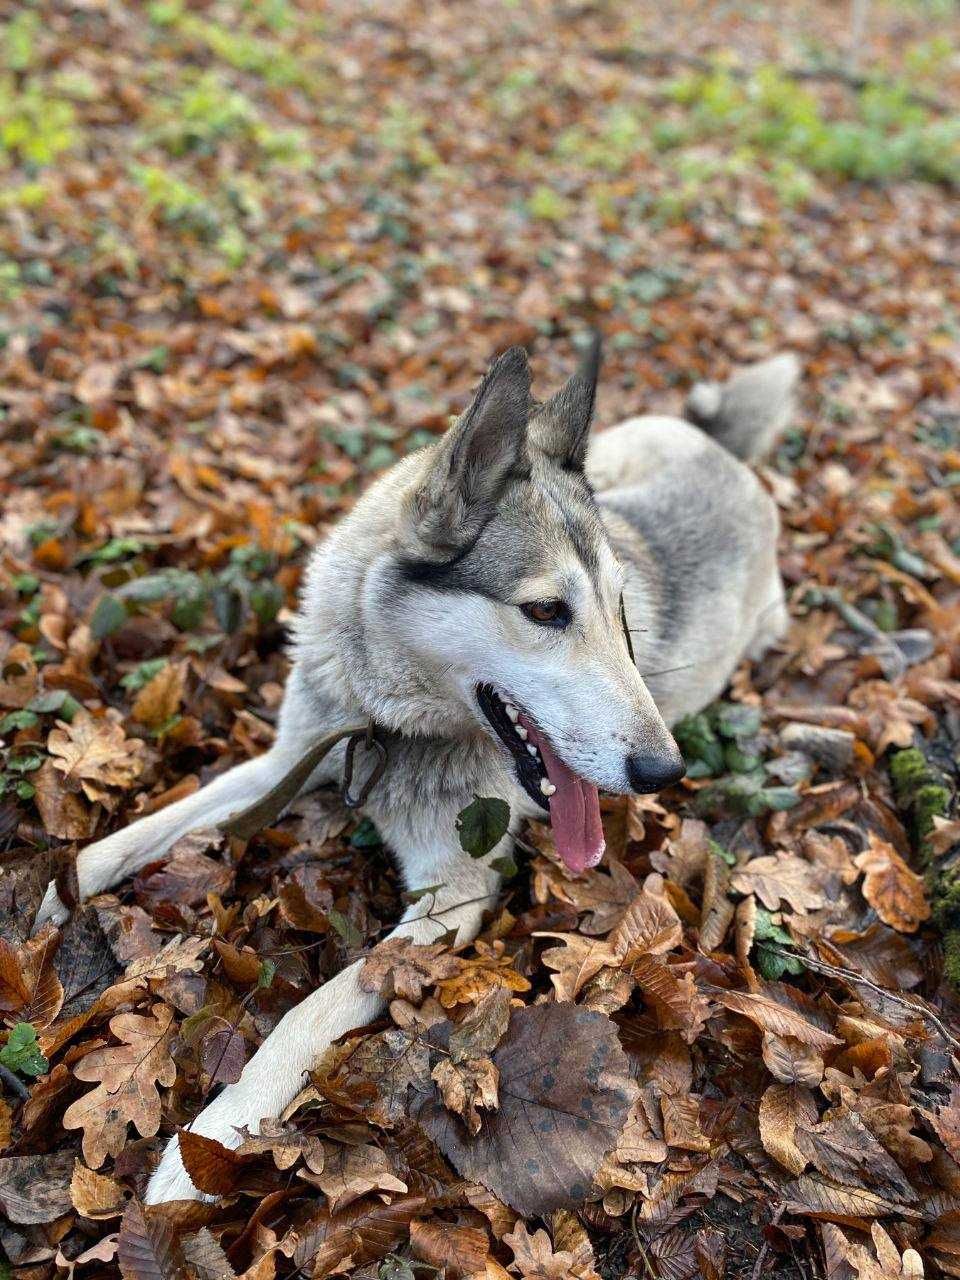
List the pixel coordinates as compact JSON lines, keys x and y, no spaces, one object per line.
{"x":477,"y":458}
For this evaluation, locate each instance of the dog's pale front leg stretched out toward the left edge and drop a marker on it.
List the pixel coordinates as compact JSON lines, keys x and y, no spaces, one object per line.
{"x":124,"y":853}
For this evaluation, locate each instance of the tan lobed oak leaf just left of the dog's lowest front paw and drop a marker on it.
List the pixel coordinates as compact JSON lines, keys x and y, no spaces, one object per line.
{"x":127,"y":1092}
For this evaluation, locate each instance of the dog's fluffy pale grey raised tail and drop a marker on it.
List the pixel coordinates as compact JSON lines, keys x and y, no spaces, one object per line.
{"x":748,"y":414}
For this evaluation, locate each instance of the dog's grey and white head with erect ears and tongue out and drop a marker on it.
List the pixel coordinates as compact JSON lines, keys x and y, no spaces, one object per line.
{"x":505,"y":588}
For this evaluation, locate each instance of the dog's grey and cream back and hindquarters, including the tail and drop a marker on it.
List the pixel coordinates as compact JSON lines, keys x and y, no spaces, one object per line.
{"x":698,"y":531}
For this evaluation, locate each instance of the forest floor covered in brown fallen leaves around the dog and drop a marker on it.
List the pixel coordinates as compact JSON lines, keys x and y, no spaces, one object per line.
{"x":249,"y":255}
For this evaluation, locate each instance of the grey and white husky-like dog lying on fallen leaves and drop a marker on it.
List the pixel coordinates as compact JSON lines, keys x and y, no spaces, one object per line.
{"x":473,"y":606}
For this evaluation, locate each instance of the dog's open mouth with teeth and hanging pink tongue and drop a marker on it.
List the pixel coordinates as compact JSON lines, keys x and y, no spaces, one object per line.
{"x":574,"y":803}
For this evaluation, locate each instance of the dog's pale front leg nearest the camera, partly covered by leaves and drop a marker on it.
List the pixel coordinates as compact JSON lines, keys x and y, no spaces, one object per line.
{"x":277,"y":1072}
